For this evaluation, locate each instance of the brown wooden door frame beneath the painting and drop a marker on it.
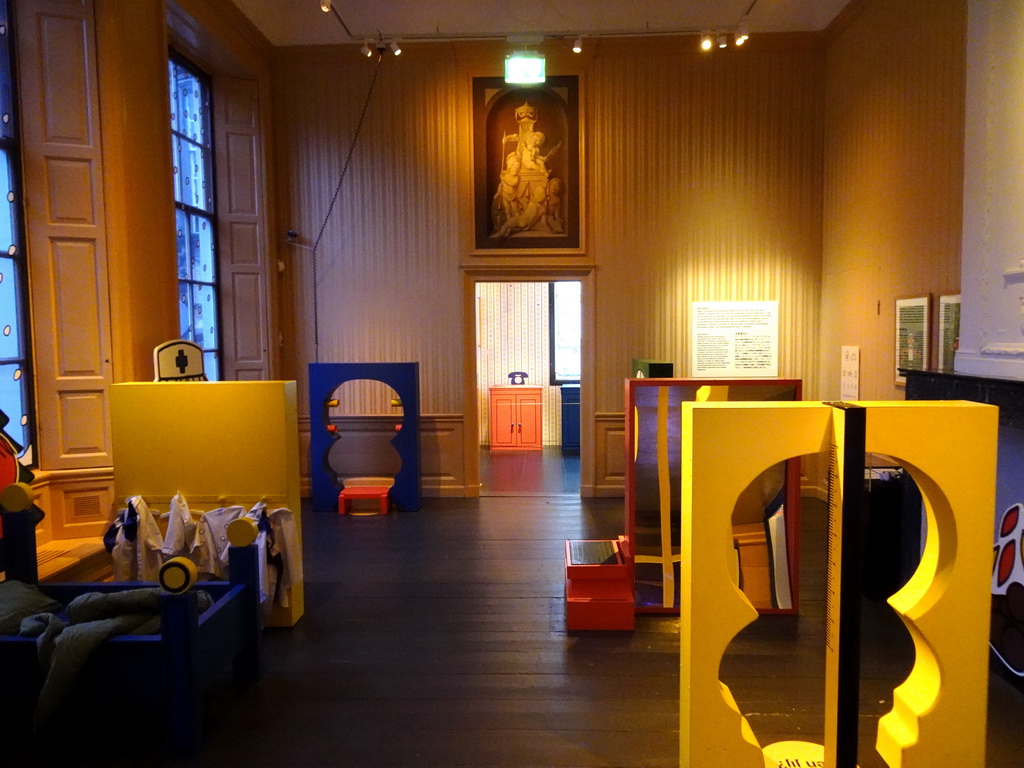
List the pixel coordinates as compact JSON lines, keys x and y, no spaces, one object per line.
{"x":527,"y":274}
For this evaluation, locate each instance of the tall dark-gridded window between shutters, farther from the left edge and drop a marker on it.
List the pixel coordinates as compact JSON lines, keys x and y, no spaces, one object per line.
{"x":192,"y":137}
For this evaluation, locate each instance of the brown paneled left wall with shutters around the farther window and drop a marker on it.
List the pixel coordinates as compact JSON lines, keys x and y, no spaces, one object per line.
{"x":100,"y":219}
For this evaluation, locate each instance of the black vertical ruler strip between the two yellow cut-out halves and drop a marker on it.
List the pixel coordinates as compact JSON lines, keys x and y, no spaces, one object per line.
{"x":850,"y":588}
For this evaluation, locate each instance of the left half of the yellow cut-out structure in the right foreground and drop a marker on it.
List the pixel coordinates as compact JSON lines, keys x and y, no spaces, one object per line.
{"x":724,"y":447}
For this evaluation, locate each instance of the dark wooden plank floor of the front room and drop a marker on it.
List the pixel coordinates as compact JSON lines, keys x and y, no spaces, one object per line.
{"x":438,"y":639}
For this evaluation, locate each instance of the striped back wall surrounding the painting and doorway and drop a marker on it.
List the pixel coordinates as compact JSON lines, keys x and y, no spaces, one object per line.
{"x":703,"y":180}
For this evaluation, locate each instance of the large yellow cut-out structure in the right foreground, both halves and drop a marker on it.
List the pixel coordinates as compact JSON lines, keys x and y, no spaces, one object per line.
{"x":940,"y":714}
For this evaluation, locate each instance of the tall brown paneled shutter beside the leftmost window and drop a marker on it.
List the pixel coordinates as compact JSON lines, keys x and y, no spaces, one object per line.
{"x":66,"y":229}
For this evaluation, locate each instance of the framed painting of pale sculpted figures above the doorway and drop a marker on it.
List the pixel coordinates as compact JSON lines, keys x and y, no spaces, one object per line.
{"x":527,"y":165}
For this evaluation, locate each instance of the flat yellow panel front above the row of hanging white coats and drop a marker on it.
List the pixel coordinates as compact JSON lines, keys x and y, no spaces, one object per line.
{"x":218,"y":444}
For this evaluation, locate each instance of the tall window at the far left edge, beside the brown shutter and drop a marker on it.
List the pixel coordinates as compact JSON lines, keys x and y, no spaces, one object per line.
{"x":16,"y":363}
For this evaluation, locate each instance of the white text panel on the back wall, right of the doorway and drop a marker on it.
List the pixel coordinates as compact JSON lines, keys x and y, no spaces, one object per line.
{"x":735,"y":339}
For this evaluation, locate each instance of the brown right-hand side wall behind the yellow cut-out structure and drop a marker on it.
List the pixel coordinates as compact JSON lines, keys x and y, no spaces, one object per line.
{"x":893,"y":179}
